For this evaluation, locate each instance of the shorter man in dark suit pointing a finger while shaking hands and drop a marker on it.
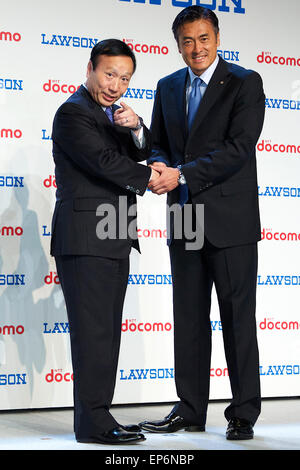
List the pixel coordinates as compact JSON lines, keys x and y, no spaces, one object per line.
{"x":96,"y":148}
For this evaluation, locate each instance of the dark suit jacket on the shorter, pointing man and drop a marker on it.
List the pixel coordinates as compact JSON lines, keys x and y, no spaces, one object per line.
{"x":96,"y":162}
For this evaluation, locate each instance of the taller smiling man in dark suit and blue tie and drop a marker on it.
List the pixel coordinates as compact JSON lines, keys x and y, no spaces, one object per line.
{"x":206,"y":121}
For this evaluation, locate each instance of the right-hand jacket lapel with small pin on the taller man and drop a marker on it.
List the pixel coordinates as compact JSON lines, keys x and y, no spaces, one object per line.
{"x":215,"y":88}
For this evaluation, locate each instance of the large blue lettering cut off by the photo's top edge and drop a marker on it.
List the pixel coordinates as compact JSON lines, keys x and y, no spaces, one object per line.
{"x":226,"y":6}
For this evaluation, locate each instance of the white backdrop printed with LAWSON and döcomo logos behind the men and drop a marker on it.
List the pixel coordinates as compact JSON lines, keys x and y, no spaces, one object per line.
{"x":44,"y":51}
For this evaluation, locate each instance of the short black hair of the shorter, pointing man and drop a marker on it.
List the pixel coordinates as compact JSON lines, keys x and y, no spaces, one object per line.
{"x":111,"y":47}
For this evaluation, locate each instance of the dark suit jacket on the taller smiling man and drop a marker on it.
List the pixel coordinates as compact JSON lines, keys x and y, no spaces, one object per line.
{"x":218,"y":155}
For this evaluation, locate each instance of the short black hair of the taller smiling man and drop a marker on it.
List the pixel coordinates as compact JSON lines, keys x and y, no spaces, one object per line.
{"x":193,"y":13}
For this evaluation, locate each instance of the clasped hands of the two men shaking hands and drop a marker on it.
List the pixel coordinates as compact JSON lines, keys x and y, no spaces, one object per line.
{"x":163,"y":178}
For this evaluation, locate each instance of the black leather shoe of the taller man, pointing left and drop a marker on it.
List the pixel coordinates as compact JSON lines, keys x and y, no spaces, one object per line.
{"x":171,"y":423}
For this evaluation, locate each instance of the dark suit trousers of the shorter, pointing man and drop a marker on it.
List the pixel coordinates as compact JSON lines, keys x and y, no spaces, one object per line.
{"x":94,"y":290}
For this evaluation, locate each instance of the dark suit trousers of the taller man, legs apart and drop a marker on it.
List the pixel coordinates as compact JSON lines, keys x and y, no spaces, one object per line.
{"x":233,"y":272}
